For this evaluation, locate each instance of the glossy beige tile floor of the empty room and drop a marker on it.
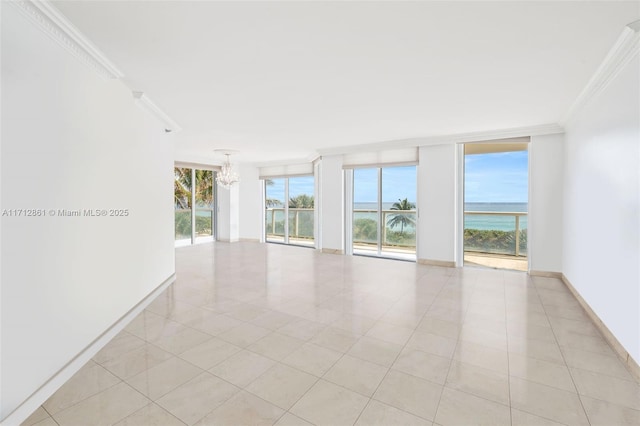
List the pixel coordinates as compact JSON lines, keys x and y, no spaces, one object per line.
{"x":254,"y":334}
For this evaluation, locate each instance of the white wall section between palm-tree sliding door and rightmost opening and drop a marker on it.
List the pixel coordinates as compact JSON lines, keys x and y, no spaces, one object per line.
{"x":437,"y":203}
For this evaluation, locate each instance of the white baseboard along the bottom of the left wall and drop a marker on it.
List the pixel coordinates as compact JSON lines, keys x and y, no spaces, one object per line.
{"x":43,"y":393}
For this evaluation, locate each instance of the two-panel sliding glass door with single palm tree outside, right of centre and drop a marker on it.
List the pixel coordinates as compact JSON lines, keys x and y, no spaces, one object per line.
{"x":383,"y":220}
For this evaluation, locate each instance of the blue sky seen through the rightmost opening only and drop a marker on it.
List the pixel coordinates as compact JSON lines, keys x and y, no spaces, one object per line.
{"x":496,"y":178}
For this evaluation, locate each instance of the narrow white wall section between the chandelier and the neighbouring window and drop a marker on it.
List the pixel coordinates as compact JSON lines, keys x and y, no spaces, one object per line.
{"x":251,"y":213}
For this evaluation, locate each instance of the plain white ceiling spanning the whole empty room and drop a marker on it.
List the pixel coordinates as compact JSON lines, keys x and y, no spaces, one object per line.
{"x":281,"y":80}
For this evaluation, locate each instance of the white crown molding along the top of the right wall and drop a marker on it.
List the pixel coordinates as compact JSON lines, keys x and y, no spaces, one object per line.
{"x":624,"y":49}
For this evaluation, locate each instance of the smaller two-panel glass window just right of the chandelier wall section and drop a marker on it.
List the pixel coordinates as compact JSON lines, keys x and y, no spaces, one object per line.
{"x":290,"y":205}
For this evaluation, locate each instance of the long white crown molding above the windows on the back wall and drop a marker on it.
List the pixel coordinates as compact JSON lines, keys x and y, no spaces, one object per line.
{"x":490,"y":135}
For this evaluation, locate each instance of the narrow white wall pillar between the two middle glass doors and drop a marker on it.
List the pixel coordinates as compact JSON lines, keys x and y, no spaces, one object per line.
{"x":332,"y":210}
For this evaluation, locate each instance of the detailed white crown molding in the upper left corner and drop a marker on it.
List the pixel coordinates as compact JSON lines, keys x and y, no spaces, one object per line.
{"x":49,"y":19}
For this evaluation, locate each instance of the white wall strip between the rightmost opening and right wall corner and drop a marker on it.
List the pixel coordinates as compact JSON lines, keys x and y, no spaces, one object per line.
{"x":546,"y":165}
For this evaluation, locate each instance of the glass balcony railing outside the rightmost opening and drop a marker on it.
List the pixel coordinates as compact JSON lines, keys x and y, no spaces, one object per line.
{"x":496,"y":232}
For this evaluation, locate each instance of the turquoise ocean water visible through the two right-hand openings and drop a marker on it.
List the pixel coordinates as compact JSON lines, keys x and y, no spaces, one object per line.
{"x":482,"y":222}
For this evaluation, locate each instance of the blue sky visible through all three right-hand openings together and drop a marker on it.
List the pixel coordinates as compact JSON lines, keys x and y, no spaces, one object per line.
{"x":494,"y":178}
